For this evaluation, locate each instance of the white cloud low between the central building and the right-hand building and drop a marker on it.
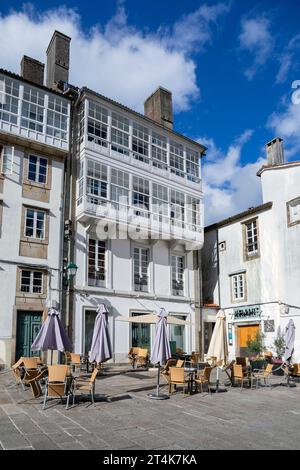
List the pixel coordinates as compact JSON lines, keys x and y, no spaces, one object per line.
{"x":229,"y":187}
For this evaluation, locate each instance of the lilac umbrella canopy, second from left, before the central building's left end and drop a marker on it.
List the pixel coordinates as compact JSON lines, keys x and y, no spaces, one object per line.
{"x":101,"y":349}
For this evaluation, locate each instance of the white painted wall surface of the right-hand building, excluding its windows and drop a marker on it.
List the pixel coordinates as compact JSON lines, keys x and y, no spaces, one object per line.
{"x":274,"y":277}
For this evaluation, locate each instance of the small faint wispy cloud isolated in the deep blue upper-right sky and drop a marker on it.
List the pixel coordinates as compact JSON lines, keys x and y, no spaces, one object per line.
{"x":256,"y":38}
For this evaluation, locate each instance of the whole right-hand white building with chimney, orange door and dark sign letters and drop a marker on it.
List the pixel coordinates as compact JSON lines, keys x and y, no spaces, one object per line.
{"x":251,"y":261}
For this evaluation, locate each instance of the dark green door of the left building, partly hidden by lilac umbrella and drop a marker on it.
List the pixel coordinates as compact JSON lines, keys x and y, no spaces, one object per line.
{"x":28,"y":326}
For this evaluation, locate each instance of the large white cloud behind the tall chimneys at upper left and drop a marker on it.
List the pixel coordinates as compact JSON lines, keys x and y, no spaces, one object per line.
{"x":115,"y":59}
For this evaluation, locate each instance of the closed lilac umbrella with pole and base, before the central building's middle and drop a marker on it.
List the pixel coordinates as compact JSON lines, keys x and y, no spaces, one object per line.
{"x":161,"y":351}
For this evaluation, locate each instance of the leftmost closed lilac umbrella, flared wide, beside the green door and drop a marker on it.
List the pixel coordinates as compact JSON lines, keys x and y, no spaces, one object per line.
{"x":52,"y":335}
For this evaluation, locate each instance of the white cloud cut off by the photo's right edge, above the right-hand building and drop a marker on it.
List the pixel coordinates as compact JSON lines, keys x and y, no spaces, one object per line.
{"x":286,"y":124}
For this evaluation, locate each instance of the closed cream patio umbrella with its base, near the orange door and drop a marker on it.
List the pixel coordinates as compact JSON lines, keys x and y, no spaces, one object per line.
{"x":218,"y":349}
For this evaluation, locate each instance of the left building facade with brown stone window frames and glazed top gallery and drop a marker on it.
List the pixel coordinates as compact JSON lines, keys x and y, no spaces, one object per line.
{"x":34,"y":142}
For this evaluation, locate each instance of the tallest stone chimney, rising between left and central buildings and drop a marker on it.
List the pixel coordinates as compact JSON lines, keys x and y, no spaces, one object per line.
{"x":58,"y":56}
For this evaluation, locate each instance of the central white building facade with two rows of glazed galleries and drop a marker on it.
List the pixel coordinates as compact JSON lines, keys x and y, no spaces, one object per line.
{"x":134,"y":175}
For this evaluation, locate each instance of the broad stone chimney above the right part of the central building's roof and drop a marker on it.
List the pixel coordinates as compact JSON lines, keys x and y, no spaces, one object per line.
{"x":159,"y":107}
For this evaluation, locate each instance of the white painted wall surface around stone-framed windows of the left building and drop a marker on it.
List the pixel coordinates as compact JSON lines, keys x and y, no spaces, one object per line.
{"x":9,"y":246}
